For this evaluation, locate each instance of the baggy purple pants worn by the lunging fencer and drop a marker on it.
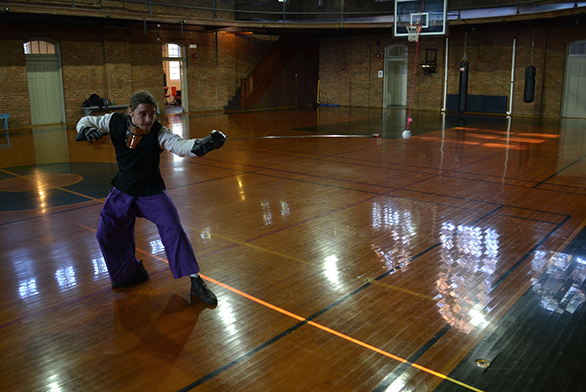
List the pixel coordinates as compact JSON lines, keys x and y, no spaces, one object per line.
{"x":116,"y":234}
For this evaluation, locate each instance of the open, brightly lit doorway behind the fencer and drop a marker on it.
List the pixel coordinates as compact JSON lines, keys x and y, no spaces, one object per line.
{"x":175,"y":82}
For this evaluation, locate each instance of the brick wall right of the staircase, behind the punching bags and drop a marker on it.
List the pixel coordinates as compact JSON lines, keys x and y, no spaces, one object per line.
{"x":348,"y":67}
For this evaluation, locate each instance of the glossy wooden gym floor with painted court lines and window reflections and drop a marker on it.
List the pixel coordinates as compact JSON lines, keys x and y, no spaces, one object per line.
{"x":452,"y":261}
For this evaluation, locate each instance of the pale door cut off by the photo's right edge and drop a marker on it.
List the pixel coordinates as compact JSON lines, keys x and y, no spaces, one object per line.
{"x":574,"y":103}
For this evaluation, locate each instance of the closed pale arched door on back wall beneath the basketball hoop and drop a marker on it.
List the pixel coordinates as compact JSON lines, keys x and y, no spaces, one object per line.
{"x":395,"y":77}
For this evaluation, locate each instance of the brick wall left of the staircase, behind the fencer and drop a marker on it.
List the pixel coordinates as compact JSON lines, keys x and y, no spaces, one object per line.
{"x":115,"y":62}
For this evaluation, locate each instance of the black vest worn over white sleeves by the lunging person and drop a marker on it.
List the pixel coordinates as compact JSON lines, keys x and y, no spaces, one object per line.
{"x":138,"y":168}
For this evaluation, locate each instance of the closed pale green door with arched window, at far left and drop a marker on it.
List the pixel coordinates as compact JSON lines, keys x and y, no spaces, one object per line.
{"x":45,"y":83}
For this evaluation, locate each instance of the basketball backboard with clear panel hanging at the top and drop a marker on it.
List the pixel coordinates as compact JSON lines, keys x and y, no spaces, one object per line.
{"x":431,"y":14}
